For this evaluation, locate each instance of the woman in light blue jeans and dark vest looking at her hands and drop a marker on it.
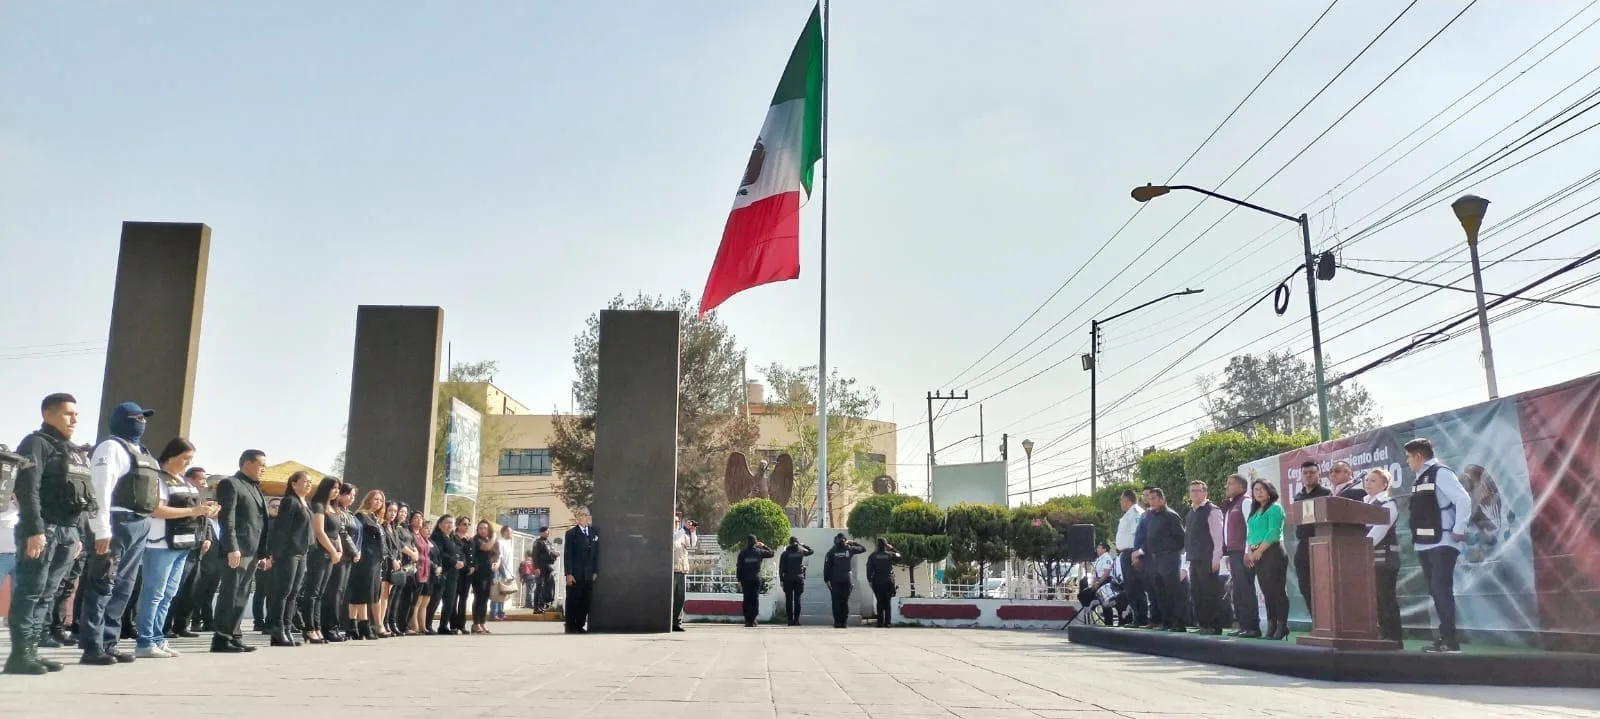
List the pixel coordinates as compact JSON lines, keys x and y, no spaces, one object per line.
{"x":175,"y":531}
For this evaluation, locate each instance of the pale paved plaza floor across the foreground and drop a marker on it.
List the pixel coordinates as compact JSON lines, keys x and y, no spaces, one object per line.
{"x":532,"y":670}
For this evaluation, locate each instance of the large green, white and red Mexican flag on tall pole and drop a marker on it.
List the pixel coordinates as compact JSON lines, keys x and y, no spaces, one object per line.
{"x":761,"y":244}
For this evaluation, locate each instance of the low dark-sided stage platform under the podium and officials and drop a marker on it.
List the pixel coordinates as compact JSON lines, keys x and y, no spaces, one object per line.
{"x":1476,"y":665}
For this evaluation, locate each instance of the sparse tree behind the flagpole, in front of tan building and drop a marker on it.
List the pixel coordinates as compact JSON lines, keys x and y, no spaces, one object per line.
{"x":849,"y":435}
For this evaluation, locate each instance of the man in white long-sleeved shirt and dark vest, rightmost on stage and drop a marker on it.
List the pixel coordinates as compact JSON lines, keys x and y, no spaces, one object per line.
{"x":1441,"y":510}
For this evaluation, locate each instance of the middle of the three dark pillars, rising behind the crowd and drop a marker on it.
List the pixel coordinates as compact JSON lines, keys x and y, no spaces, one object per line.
{"x":394,"y":398}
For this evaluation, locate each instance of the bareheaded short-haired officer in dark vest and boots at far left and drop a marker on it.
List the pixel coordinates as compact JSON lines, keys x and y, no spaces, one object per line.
{"x":54,"y":492}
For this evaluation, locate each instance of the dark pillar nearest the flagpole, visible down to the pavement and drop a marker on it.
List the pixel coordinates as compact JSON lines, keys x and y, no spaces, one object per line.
{"x":636,"y":470}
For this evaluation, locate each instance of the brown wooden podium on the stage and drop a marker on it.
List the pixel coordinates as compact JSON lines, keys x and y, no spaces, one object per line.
{"x":1345,"y":596}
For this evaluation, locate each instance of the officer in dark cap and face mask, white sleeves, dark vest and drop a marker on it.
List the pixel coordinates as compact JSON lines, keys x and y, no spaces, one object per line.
{"x":127,"y":489}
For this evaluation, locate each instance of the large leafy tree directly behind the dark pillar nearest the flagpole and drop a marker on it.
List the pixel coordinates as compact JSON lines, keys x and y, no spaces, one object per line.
{"x":711,"y":403}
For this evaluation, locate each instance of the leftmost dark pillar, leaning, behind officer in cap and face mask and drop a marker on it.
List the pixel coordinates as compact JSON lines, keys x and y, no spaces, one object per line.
{"x":156,"y":326}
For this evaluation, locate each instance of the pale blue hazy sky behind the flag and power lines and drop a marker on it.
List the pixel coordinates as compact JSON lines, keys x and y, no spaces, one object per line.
{"x":522,"y":163}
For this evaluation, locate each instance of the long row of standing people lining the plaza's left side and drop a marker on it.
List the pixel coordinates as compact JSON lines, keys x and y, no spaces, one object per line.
{"x":118,"y":544}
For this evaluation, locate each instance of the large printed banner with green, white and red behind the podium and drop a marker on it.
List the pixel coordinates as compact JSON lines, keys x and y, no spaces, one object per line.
{"x":1530,"y":564}
